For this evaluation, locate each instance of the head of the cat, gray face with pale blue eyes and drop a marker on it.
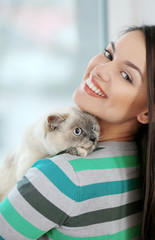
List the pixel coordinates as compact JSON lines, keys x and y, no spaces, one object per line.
{"x":74,"y":128}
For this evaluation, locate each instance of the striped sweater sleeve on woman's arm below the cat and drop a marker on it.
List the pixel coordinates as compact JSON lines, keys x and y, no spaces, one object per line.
{"x":42,"y":200}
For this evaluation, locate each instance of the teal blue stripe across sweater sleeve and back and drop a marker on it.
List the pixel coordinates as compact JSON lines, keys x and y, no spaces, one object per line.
{"x":60,"y":180}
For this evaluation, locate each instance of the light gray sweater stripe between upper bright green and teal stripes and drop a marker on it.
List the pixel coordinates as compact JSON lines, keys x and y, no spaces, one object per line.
{"x":97,"y":176}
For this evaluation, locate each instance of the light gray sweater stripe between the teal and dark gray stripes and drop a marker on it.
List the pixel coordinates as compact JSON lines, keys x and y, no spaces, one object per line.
{"x":49,"y":191}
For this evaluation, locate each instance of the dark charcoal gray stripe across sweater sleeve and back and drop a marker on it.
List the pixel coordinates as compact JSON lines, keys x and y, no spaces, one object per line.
{"x":50,"y":211}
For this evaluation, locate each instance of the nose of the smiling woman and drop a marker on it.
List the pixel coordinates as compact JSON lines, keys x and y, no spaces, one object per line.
{"x":102,"y":71}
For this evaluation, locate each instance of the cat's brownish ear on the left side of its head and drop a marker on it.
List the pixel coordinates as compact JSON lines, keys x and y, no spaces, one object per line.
{"x":55,"y":120}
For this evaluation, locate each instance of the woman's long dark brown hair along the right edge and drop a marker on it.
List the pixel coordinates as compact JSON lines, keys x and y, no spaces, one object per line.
{"x":146,"y":136}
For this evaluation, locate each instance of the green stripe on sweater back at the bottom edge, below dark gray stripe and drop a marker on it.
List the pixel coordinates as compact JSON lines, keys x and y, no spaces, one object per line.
{"x":127,"y":234}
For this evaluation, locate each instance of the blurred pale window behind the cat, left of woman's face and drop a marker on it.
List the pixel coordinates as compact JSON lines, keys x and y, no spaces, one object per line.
{"x":44,"y":49}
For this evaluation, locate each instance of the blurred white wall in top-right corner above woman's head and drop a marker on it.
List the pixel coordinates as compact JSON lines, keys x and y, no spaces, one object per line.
{"x":123,"y":13}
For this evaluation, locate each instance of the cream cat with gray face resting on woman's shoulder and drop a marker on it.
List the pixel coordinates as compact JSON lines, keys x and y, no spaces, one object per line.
{"x":66,"y":130}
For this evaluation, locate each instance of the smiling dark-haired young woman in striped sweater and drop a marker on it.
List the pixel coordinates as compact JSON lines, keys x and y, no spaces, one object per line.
{"x":110,"y":194}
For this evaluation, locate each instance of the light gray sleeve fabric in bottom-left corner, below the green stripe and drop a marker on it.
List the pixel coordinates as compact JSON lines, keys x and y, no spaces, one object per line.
{"x":8,"y":232}
